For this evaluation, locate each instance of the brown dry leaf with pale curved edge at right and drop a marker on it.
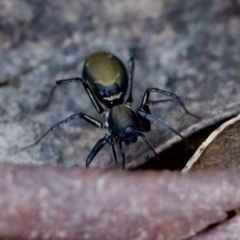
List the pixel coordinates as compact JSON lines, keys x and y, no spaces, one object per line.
{"x":220,"y":150}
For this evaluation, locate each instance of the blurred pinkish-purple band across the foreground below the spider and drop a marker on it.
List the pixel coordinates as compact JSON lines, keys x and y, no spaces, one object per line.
{"x":49,"y":202}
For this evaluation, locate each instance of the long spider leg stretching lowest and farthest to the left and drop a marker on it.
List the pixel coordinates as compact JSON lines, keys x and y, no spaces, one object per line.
{"x":89,"y":119}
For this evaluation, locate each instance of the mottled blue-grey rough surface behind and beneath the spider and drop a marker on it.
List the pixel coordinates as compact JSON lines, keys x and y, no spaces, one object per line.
{"x":188,"y":47}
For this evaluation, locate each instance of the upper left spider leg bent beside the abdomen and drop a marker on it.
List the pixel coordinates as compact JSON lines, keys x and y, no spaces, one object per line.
{"x":89,"y":91}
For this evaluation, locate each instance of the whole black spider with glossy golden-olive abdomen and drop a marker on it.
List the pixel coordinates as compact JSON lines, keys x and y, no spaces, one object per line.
{"x":108,"y":82}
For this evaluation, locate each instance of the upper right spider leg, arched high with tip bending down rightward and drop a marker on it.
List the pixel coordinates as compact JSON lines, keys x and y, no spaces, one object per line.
{"x":146,"y":95}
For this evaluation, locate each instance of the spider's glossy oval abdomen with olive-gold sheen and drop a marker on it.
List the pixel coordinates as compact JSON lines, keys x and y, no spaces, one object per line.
{"x":107,"y":77}
